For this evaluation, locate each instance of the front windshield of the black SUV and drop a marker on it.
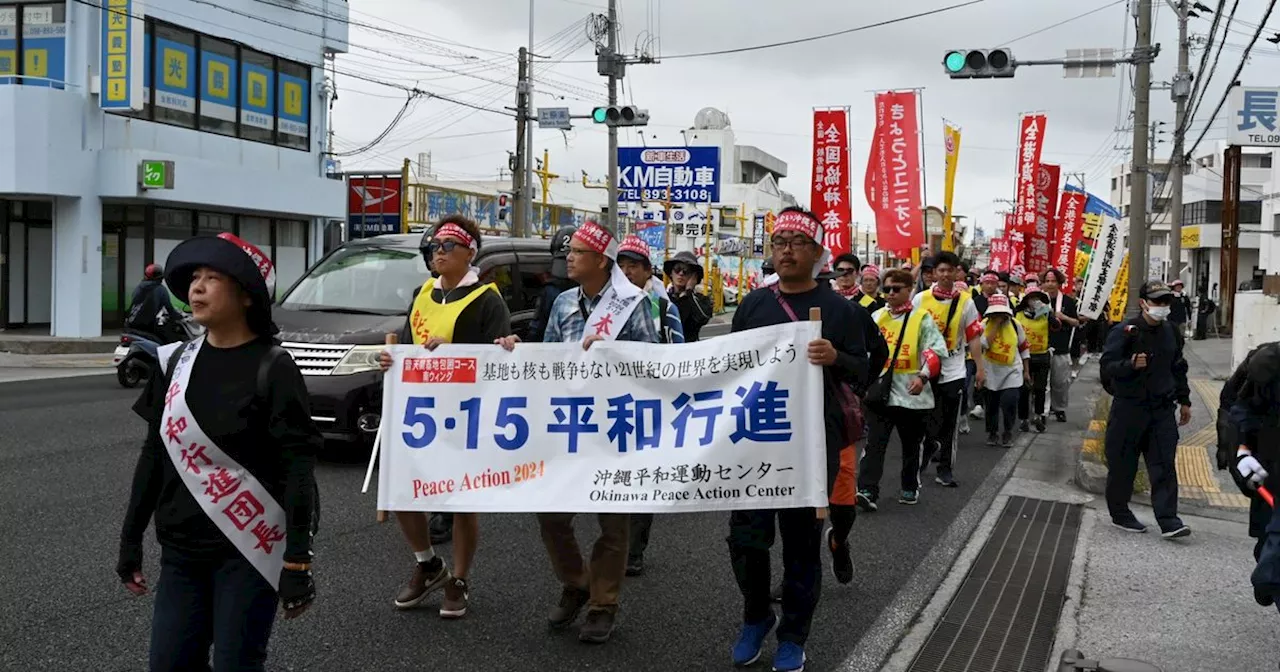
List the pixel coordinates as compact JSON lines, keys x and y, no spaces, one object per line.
{"x":377,"y":281}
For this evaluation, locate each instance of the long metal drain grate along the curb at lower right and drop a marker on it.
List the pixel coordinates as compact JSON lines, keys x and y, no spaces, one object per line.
{"x":1005,"y":615}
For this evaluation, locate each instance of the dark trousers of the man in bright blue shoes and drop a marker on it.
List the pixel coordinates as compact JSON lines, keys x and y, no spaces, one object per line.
{"x":751,"y":537}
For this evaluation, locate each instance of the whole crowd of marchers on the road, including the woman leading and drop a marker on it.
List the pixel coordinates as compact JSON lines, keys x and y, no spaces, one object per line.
{"x":226,"y":470}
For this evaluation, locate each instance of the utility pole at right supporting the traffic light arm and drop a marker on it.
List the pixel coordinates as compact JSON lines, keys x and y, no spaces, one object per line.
{"x":1140,"y":176}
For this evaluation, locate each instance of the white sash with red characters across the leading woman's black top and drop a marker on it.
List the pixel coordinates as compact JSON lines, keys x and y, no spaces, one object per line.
{"x":237,"y":504}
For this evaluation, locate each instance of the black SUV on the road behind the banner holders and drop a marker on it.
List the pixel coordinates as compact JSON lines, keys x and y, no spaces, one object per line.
{"x":336,"y":318}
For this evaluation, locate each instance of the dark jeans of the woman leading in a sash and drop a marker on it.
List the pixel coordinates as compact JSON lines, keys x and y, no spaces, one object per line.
{"x":225,"y":604}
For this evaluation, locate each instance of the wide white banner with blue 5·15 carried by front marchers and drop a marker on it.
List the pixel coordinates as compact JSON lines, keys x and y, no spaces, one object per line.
{"x":733,"y":423}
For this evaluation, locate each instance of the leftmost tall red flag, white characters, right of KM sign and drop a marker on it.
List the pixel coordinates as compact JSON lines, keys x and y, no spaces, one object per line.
{"x":830,"y":199}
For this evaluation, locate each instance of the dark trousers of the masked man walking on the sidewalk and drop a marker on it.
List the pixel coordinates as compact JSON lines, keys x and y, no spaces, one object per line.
{"x":1153,"y":433}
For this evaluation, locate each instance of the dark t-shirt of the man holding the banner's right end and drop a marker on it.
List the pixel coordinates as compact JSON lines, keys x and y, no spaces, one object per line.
{"x":840,"y":324}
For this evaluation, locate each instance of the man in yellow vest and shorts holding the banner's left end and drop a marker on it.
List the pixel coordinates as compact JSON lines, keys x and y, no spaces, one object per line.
{"x":452,"y":308}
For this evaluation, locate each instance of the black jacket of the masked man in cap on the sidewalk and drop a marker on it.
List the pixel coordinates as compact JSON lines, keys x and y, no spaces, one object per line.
{"x":1164,"y":381}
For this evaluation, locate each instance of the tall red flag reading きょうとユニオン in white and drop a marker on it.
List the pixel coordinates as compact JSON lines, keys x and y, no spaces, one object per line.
{"x":894,"y":173}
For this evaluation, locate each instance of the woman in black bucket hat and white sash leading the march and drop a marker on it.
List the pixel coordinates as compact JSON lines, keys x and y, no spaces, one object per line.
{"x":227,"y":470}
